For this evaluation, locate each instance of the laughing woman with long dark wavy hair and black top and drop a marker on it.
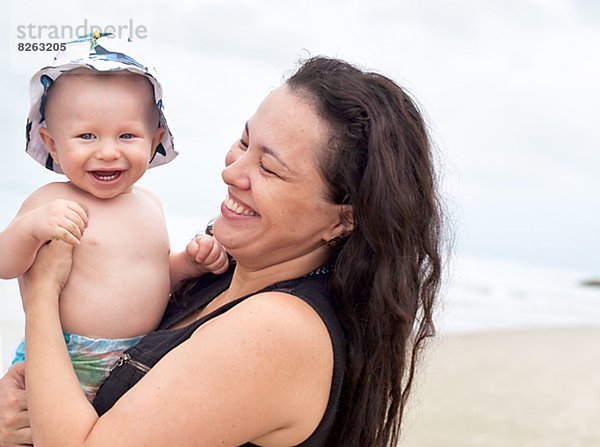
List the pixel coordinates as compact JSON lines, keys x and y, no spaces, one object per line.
{"x":311,"y":338}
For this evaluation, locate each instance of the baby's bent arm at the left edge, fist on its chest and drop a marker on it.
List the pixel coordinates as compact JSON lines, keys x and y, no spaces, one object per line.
{"x":37,"y":222}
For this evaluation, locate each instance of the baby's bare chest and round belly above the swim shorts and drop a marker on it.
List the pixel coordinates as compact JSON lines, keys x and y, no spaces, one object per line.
{"x":121,"y":264}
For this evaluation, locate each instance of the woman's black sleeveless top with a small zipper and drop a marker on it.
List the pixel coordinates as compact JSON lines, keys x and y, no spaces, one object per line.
{"x":137,"y":361}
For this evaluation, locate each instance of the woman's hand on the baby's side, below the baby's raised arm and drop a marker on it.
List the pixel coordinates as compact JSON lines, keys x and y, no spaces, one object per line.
{"x":49,"y":273}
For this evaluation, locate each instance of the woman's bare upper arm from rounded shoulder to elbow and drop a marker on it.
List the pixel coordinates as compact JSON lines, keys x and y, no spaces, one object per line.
{"x":261,"y":372}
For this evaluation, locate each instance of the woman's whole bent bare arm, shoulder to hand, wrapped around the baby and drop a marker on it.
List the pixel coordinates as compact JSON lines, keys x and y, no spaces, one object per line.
{"x":260,"y":372}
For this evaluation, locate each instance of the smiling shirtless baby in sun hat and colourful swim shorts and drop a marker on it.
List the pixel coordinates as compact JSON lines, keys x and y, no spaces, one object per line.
{"x":96,"y":116}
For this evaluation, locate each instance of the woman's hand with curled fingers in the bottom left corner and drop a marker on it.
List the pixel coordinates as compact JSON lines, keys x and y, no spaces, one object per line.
{"x":14,"y":418}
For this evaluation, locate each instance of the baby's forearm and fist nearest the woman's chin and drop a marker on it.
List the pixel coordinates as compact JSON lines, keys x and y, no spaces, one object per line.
{"x":203,"y":254}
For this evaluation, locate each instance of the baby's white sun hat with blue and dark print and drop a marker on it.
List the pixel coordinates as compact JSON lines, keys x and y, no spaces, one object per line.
{"x":102,"y":52}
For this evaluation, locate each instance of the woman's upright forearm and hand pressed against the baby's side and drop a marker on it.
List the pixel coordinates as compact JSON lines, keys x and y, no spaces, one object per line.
{"x":53,"y":390}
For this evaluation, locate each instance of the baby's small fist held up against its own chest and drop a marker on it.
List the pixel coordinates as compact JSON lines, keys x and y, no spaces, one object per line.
{"x":60,"y":219}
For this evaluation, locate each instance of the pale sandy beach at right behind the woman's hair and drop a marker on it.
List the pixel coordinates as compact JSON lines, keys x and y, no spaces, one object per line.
{"x":529,"y":388}
